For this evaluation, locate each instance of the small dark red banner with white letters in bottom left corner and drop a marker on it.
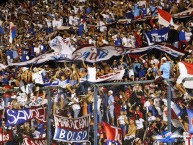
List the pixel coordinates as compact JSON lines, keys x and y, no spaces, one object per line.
{"x":6,"y":135}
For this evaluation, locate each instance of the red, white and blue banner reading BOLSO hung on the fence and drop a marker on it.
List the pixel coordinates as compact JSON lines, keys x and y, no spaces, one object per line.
{"x":71,"y":129}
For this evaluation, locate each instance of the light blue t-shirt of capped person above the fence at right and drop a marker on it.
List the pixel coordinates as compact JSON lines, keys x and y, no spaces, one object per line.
{"x":165,"y":68}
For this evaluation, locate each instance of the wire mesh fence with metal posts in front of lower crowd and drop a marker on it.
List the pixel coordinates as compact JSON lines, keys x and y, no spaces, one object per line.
{"x":139,"y":109}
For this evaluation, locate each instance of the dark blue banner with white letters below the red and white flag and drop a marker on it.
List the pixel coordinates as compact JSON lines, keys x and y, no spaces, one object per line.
{"x":157,"y":36}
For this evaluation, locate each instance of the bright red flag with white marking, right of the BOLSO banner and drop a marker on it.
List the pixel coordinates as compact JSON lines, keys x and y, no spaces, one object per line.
{"x":112,"y":133}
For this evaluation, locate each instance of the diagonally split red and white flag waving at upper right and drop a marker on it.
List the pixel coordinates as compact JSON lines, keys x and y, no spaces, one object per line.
{"x":165,"y":18}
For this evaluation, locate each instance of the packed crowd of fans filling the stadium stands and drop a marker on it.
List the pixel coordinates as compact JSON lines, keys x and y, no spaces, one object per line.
{"x":139,"y":109}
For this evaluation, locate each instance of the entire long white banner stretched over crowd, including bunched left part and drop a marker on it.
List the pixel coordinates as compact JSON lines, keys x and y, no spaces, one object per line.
{"x":90,"y":53}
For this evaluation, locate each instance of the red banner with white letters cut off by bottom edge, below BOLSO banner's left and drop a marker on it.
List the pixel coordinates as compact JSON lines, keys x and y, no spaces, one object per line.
{"x":30,"y":141}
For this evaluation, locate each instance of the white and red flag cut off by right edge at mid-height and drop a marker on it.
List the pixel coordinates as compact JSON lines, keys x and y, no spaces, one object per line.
{"x":186,"y":71}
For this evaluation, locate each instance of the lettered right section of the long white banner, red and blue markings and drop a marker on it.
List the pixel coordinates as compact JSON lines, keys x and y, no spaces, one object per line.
{"x":90,"y":53}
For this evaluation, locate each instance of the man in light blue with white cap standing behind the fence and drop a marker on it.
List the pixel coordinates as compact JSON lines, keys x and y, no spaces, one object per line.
{"x":111,"y":106}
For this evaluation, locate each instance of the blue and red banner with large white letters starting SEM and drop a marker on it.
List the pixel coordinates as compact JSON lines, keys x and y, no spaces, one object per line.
{"x":15,"y":117}
